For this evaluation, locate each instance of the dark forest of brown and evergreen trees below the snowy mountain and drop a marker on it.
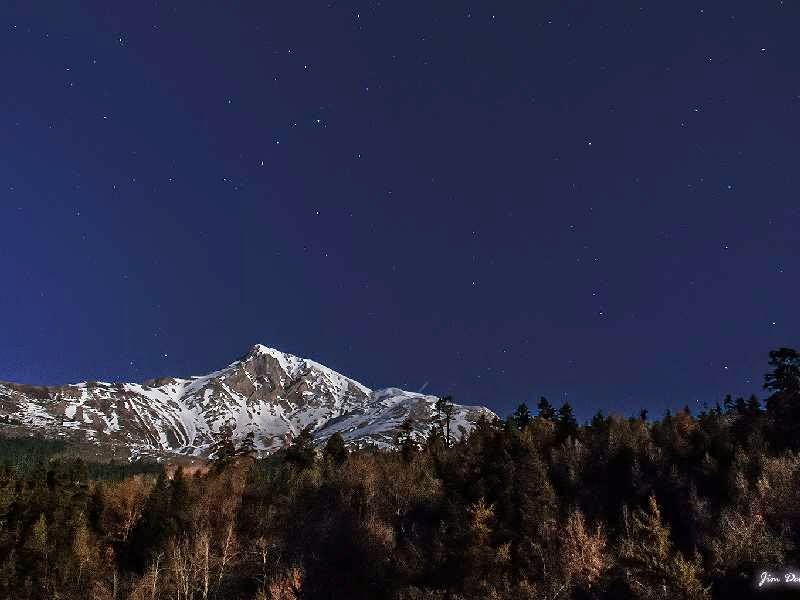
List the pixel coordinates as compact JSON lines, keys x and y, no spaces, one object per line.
{"x":537,"y":505}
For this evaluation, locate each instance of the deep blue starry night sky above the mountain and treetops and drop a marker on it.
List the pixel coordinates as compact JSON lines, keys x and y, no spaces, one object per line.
{"x":595,"y":202}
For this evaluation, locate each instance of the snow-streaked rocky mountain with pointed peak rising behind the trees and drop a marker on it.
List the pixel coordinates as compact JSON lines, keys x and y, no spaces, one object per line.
{"x":267,"y":392}
